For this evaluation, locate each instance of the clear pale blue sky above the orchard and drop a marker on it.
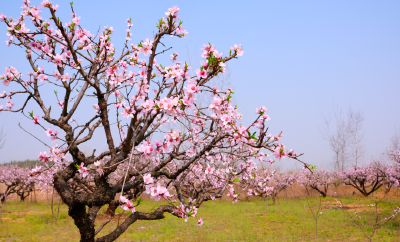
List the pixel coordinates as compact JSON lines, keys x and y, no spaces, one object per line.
{"x":301,"y":58}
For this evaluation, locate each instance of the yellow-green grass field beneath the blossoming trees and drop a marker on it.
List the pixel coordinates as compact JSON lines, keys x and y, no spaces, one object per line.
{"x":288,"y":220}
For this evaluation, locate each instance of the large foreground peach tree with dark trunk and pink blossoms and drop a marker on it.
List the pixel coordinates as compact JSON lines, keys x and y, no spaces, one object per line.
{"x":134,"y":96}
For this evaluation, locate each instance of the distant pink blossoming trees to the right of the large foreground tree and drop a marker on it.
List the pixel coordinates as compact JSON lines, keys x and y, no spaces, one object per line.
{"x":365,"y":179}
